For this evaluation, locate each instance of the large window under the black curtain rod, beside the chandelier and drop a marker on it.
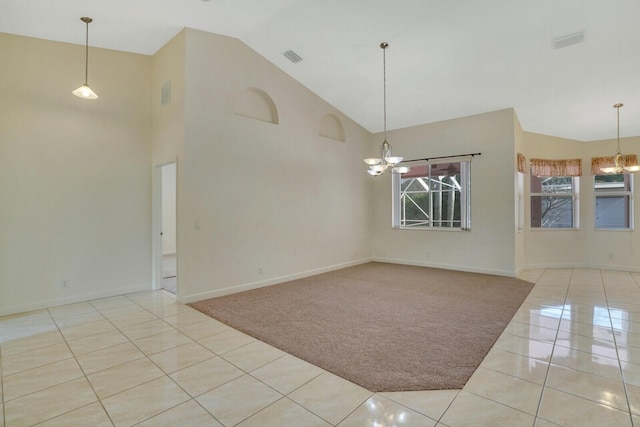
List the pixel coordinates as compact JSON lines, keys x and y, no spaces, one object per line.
{"x":435,"y":195}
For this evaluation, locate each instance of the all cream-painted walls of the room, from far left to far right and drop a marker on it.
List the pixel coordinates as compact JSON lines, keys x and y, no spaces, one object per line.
{"x":257,"y":203}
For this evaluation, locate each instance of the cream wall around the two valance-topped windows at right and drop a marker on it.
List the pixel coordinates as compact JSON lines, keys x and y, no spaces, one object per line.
{"x":585,"y":246}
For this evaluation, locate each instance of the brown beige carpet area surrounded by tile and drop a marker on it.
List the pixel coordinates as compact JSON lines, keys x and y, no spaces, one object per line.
{"x":385,"y":327}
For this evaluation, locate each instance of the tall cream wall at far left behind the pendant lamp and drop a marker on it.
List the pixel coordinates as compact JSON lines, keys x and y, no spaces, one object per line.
{"x":74,"y":174}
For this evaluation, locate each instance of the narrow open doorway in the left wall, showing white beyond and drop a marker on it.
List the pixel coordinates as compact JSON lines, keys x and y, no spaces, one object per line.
{"x":168,"y":232}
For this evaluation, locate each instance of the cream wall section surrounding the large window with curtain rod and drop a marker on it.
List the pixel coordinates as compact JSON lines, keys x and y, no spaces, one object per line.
{"x":489,"y":246}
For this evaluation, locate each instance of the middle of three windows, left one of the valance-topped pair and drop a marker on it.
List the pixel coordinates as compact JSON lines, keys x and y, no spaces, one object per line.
{"x":553,"y":202}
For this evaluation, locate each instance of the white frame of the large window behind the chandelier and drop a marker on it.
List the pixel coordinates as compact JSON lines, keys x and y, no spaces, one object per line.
{"x":465,"y":198}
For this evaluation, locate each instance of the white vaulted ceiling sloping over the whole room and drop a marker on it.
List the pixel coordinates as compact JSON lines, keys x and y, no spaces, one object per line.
{"x":446,"y":59}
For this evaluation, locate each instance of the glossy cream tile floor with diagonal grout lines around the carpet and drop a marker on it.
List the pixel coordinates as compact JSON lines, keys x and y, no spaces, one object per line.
{"x":570,"y":356}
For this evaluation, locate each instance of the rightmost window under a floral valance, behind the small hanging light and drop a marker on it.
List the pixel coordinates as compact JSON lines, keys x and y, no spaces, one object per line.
{"x":614,"y":201}
